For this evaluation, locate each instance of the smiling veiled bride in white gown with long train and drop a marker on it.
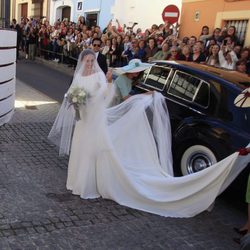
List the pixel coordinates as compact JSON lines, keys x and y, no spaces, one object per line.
{"x":123,"y":153}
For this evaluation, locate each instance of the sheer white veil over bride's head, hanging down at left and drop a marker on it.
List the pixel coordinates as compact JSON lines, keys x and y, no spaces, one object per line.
{"x":61,"y":132}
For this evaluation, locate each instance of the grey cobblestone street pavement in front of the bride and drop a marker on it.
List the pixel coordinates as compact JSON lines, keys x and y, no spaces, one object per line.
{"x":37,"y":212}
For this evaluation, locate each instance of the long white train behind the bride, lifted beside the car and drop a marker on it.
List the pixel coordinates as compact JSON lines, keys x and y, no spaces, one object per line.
{"x":138,"y":171}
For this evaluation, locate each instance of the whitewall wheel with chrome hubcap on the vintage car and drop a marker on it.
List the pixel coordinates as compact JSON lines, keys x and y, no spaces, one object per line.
{"x":196,"y":158}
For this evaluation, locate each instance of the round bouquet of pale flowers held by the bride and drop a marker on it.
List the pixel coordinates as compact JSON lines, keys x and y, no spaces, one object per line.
{"x":76,"y":96}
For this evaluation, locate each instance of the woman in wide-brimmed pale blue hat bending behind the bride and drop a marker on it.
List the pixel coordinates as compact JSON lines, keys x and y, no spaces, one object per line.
{"x":128,"y":75}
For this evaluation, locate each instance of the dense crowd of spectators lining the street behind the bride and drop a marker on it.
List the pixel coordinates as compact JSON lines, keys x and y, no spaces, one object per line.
{"x":63,"y":41}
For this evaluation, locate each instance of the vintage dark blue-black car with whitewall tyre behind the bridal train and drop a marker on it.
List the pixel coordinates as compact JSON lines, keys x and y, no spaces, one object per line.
{"x":206,"y":125}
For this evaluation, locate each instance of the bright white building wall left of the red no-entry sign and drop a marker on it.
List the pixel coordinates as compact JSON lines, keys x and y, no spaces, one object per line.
{"x":144,"y":12}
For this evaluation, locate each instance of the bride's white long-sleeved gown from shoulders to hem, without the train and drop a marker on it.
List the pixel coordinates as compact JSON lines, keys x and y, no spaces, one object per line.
{"x":89,"y":135}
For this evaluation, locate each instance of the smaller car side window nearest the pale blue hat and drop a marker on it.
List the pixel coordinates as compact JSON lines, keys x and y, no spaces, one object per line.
{"x":156,"y":77}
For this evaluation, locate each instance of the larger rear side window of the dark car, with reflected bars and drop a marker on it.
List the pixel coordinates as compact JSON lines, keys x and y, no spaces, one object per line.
{"x":189,"y":88}
